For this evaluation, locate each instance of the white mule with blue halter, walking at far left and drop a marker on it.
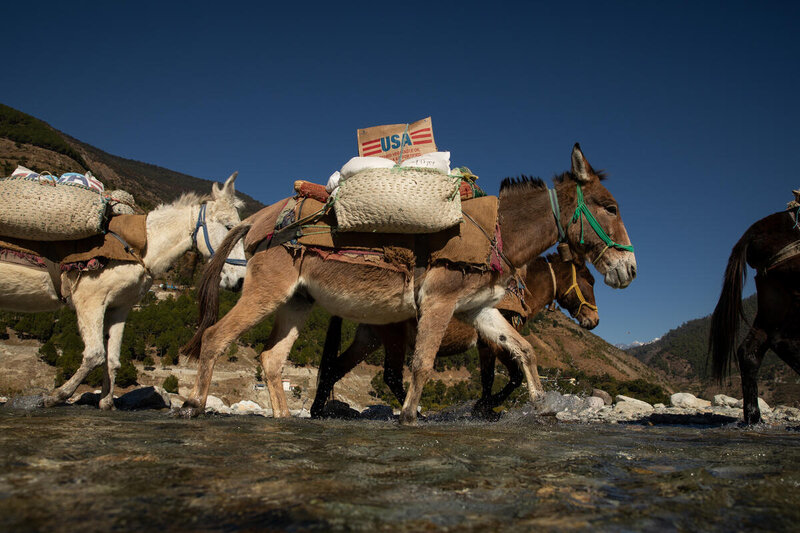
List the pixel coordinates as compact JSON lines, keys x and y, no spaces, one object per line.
{"x":103,"y":298}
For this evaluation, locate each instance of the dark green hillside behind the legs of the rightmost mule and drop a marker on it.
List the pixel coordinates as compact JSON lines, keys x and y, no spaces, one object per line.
{"x":681,"y":354}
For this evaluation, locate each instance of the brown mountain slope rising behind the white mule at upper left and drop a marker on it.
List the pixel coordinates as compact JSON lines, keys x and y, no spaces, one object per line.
{"x":30,"y":142}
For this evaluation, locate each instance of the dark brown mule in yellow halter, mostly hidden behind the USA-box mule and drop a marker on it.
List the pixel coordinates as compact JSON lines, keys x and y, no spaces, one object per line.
{"x":570,"y":283}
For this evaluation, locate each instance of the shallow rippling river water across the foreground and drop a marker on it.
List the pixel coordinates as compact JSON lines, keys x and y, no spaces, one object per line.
{"x":77,"y":468}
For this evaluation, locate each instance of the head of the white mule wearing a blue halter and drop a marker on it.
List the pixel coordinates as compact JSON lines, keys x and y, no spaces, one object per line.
{"x":222,"y":214}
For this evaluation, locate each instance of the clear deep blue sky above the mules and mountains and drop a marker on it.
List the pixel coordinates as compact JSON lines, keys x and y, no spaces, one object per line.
{"x":691,"y":107}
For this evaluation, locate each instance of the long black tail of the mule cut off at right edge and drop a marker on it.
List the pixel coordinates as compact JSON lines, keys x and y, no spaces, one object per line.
{"x":728,"y":313}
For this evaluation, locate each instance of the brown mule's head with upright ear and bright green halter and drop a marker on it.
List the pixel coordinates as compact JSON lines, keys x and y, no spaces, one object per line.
{"x":595,"y":230}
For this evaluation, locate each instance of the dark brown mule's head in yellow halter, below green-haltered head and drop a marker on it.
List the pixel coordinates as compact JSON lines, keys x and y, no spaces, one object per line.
{"x":575,"y":290}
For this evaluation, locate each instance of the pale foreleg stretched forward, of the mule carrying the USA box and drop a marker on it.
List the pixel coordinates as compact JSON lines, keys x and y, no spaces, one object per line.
{"x":493,"y":327}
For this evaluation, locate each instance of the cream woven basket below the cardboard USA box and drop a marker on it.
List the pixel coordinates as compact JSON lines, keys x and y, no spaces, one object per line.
{"x":398,"y":200}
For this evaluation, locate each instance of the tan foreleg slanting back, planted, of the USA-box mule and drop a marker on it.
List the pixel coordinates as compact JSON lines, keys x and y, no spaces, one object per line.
{"x":435,"y":314}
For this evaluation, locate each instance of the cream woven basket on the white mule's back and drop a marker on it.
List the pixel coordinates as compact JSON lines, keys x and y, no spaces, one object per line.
{"x":43,"y":211}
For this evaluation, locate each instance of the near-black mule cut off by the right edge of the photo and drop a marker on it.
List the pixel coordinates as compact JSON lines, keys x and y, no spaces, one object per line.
{"x":772,"y":247}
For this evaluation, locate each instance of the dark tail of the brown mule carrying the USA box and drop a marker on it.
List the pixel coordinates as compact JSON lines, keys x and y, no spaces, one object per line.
{"x":208,"y":291}
